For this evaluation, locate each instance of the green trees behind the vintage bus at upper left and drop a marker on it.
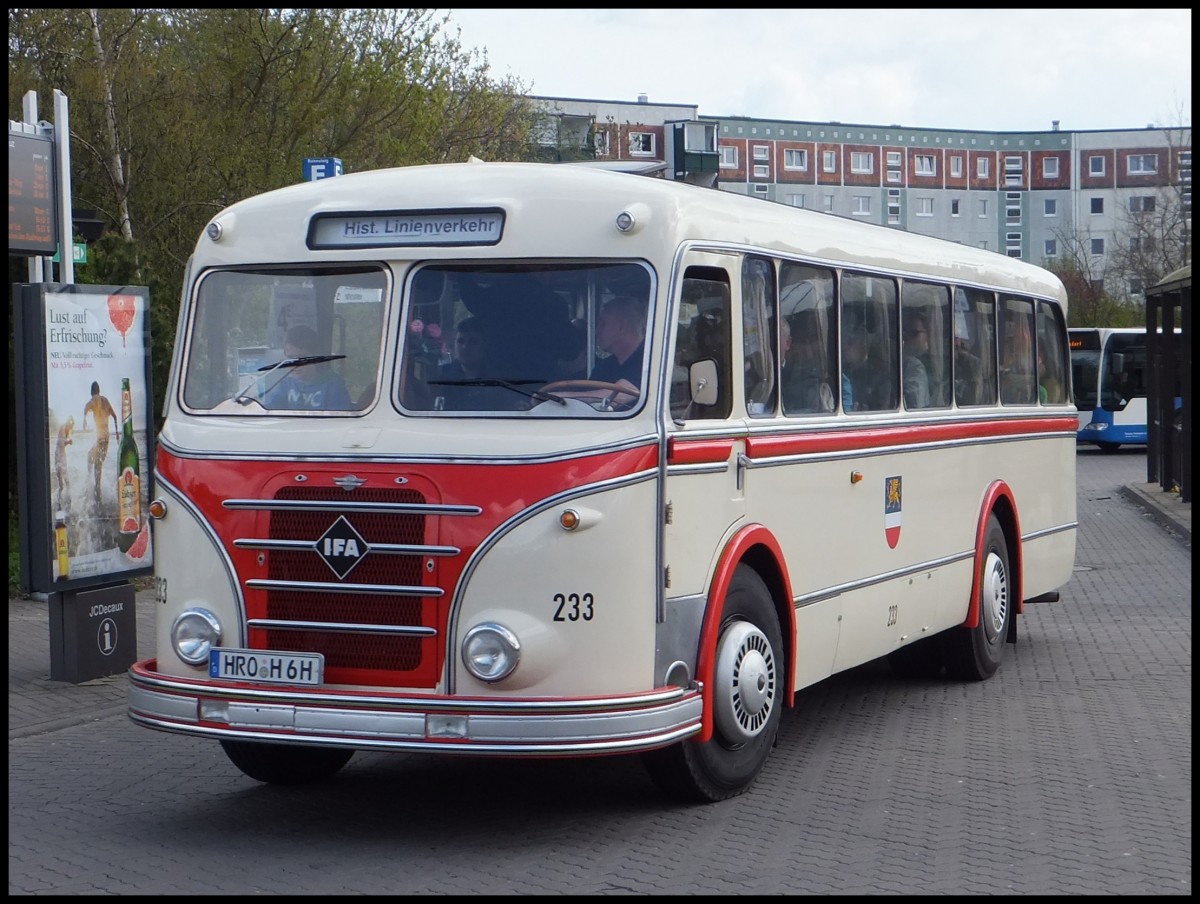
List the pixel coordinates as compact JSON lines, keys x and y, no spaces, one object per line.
{"x":175,"y":115}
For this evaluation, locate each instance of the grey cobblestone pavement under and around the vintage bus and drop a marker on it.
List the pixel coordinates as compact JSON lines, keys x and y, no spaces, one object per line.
{"x":1067,"y":774}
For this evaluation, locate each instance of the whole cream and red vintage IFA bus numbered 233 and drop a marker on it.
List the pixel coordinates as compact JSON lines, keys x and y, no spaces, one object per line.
{"x":578,"y":463}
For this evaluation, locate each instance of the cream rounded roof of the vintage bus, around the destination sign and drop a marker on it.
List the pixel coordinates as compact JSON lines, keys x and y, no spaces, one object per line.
{"x":538,"y":196}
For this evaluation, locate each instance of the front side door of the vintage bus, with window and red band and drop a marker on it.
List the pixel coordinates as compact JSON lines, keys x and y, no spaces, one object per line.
{"x":704,"y":486}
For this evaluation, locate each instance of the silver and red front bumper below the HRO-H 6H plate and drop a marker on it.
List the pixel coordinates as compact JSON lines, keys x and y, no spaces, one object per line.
{"x":338,"y":717}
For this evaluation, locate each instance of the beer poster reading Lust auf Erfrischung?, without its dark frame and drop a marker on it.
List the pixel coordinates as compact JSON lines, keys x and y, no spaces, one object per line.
{"x":100,"y":430}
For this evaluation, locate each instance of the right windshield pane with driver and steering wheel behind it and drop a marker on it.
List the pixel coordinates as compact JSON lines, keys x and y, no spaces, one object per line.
{"x":560,"y":340}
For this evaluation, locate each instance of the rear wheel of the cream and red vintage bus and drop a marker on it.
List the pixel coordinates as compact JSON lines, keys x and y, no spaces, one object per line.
{"x":975,"y":654}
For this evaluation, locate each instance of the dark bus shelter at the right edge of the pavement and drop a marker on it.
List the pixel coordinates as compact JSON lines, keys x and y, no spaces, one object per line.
{"x":1169,"y":386}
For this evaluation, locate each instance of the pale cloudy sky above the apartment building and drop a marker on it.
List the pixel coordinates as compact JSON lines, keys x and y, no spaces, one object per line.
{"x":989,"y":70}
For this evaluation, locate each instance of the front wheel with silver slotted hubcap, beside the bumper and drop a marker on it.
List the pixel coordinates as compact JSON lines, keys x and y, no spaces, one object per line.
{"x":748,"y":690}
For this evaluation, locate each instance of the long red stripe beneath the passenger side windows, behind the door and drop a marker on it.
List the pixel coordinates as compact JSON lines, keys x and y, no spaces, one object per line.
{"x":862,"y":439}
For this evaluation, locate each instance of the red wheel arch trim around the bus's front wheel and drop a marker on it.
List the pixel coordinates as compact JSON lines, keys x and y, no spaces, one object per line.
{"x":755,"y":547}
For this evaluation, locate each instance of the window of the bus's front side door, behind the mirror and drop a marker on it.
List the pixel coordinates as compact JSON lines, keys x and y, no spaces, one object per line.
{"x":705,"y":334}
